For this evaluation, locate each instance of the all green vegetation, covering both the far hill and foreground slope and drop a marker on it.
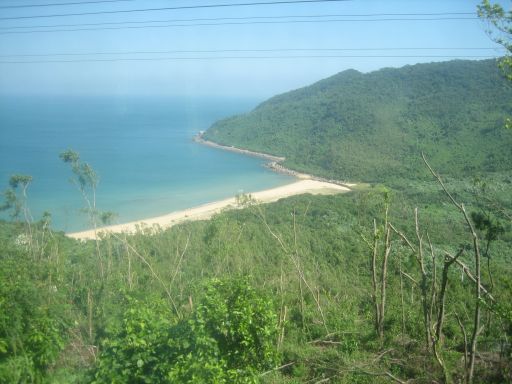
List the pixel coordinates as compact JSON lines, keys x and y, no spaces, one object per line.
{"x":398,"y":283}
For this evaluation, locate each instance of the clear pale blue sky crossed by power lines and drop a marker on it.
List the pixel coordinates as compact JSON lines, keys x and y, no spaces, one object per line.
{"x":239,"y":48}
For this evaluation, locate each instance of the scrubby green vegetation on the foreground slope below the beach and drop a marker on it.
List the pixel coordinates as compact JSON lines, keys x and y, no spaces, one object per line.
{"x":227,"y":300}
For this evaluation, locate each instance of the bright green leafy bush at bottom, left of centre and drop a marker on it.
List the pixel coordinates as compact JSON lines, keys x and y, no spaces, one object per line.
{"x":230,"y":338}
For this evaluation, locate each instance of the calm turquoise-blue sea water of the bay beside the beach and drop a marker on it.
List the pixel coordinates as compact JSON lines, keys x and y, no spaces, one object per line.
{"x":141,"y":149}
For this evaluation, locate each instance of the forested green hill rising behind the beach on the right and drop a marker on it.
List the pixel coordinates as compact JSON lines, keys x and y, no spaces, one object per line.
{"x":373,"y":127}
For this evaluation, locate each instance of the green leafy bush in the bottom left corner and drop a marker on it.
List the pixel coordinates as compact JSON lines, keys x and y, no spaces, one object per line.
{"x":32,"y":331}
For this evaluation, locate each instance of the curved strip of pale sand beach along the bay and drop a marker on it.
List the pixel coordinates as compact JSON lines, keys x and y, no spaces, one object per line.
{"x":206,"y":211}
